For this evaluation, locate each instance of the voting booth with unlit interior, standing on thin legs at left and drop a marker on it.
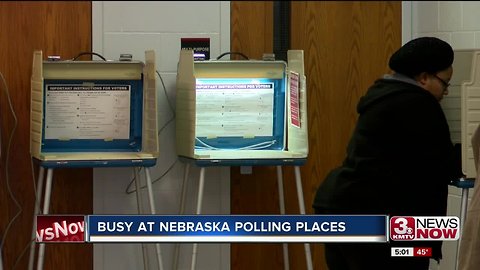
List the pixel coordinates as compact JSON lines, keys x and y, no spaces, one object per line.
{"x":92,"y":114}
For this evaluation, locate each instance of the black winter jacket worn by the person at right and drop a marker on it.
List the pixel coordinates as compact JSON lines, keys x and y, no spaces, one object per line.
{"x":400,"y":158}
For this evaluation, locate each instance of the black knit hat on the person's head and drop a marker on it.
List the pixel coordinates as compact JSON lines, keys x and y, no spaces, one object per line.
{"x":424,"y":54}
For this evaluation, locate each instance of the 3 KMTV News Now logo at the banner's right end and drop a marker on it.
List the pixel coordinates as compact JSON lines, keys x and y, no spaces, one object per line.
{"x":424,"y":228}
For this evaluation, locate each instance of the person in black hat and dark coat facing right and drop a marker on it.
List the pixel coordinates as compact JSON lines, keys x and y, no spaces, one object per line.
{"x":400,"y":158}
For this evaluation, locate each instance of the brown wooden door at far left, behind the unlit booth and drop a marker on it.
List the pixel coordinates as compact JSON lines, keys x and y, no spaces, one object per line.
{"x":56,"y":28}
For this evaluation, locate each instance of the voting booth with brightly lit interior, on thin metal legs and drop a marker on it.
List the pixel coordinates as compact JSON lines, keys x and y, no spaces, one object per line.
{"x":242,"y":113}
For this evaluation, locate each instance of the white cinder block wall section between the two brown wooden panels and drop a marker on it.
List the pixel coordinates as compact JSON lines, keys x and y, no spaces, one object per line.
{"x":133,"y":27}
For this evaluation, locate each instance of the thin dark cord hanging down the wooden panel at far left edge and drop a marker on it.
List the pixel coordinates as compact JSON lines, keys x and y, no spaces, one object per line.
{"x":7,"y":173}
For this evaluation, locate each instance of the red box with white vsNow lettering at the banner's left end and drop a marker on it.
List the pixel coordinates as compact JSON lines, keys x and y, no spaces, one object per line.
{"x":64,"y":228}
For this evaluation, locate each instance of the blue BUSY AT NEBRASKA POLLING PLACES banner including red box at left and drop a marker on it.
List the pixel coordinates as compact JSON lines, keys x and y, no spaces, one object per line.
{"x":212,"y":228}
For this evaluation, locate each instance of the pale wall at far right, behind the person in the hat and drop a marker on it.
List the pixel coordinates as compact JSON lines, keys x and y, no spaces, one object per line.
{"x":457,"y":22}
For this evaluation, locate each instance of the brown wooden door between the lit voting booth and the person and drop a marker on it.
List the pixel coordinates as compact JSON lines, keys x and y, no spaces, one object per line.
{"x":347,"y":45}
